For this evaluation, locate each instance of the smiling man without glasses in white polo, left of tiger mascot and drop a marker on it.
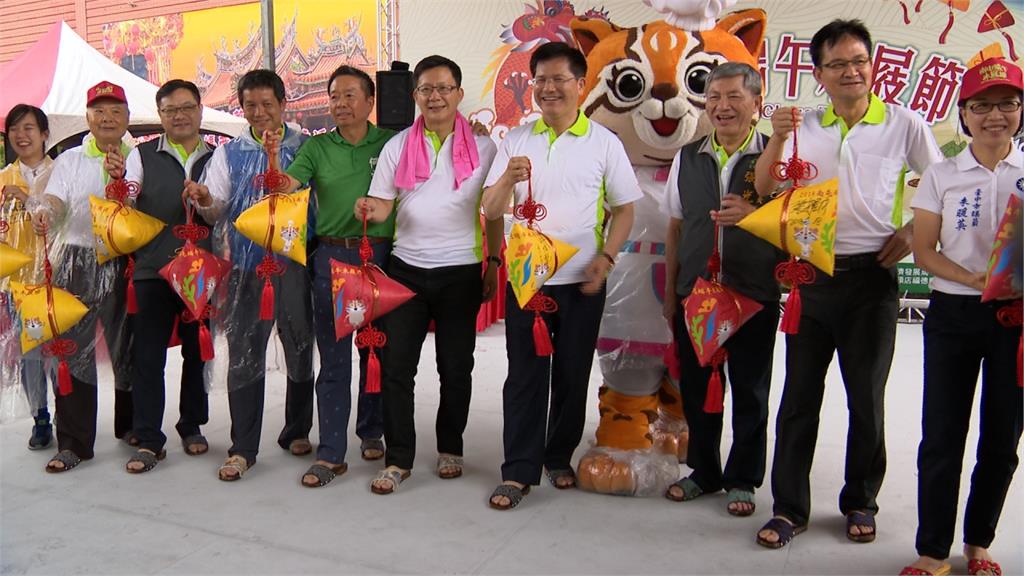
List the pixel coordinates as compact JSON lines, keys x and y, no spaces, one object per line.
{"x":578,"y":168}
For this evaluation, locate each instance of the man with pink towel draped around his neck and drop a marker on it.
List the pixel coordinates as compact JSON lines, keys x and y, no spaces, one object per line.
{"x":436,"y":172}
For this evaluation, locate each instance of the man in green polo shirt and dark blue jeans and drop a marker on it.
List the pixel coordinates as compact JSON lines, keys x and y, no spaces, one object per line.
{"x":339,"y":166}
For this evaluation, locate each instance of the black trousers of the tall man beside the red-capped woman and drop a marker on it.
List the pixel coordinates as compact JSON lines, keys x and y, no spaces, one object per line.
{"x":855,"y":314}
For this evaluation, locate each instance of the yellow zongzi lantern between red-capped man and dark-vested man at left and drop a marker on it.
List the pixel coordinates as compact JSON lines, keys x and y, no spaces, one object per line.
{"x":119,"y":229}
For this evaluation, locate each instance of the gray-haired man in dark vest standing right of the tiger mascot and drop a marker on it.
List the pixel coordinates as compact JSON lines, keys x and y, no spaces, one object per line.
{"x":712,"y":180}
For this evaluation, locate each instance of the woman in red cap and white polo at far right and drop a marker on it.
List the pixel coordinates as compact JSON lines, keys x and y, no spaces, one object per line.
{"x":959,"y":205}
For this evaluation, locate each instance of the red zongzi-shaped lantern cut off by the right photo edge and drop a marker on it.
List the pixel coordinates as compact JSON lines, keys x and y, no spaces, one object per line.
{"x":1005,"y":274}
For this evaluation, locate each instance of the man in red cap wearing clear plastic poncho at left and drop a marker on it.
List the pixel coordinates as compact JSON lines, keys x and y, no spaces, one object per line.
{"x":64,"y":214}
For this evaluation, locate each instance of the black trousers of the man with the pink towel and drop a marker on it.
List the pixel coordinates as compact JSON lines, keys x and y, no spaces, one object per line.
{"x":450,"y":297}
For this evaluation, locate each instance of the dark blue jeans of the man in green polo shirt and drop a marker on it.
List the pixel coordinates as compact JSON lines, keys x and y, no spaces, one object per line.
{"x":334,"y":397}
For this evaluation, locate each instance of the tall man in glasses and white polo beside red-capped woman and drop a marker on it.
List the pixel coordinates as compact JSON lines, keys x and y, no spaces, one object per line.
{"x":870,"y":146}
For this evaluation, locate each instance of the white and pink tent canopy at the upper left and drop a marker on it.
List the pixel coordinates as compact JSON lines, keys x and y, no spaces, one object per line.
{"x":56,"y":73}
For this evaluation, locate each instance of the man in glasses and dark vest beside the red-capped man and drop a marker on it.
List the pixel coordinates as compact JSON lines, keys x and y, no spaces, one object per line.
{"x":163,"y":168}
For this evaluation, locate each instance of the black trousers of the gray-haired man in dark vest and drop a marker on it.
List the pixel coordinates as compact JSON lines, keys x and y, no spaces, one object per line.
{"x":751,"y":350}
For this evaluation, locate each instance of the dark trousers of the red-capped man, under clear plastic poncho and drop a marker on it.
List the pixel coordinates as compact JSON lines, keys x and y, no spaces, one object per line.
{"x":102,"y":290}
